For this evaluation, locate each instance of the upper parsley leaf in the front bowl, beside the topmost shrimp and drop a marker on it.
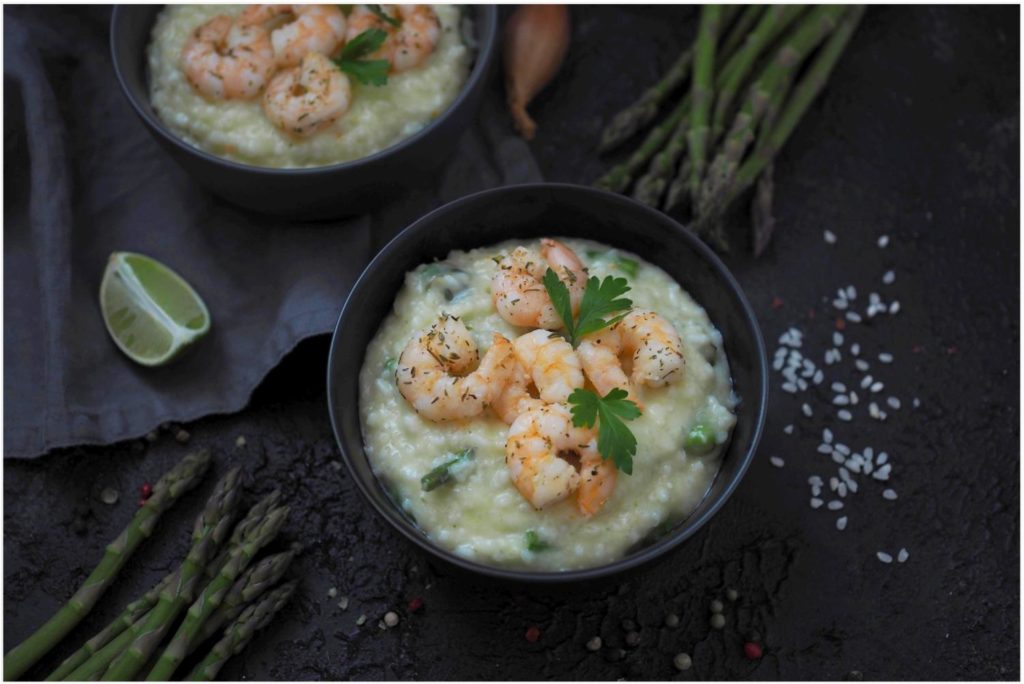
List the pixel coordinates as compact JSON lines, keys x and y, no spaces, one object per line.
{"x":601,"y":300}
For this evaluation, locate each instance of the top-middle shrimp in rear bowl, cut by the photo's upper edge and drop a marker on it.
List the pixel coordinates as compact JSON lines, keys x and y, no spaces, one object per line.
{"x":300,"y":29}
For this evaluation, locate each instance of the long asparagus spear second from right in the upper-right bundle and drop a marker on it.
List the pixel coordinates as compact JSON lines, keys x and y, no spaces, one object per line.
{"x":804,"y":38}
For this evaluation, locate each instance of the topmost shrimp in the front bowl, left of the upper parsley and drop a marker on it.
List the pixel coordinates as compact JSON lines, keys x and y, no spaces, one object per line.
{"x":520,"y":294}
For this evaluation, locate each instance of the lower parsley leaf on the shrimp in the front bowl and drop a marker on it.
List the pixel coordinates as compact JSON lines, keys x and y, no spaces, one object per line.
{"x":615,"y":441}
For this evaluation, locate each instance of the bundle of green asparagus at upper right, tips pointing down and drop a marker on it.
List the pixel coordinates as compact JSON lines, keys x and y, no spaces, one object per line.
{"x":750,"y":87}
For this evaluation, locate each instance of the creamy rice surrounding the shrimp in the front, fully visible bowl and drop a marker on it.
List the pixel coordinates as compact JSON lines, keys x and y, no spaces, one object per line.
{"x":481,"y":516}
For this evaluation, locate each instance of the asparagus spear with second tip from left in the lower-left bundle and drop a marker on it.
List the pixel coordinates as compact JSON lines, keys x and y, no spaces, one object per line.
{"x":211,"y":530}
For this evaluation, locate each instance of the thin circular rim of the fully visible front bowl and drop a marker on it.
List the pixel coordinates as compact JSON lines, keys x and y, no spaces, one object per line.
{"x":646,"y":555}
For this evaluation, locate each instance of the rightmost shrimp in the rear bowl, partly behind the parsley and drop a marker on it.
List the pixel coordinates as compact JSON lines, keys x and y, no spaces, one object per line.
{"x":408,"y":45}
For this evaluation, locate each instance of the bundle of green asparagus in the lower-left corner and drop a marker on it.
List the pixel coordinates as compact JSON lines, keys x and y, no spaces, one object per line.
{"x":220,"y":563}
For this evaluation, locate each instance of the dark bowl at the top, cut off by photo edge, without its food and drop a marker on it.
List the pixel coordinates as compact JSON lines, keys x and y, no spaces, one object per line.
{"x":323,"y":192}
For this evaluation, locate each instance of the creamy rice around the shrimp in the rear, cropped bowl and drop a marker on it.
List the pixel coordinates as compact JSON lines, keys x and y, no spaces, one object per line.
{"x":238,"y":131}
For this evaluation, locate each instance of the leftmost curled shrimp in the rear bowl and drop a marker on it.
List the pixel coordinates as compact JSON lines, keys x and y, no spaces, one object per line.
{"x":224,"y":60}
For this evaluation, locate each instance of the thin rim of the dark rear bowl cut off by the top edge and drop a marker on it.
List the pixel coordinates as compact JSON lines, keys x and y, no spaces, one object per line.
{"x":486,"y":51}
